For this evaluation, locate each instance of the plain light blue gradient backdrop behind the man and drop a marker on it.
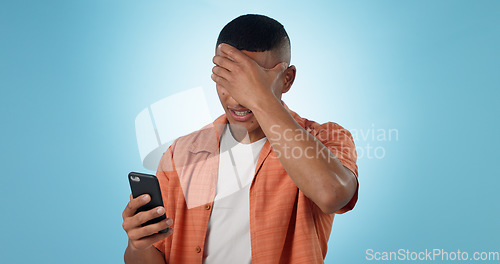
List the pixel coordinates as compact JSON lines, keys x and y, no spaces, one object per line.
{"x":74,"y":75}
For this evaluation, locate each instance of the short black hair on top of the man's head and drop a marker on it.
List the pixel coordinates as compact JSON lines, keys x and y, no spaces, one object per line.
{"x":254,"y":33}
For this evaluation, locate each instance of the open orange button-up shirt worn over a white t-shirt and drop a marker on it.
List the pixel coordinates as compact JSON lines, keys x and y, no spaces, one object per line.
{"x":285,"y":225}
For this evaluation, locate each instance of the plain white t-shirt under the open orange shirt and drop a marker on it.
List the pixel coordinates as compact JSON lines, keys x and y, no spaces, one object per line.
{"x":228,"y":232}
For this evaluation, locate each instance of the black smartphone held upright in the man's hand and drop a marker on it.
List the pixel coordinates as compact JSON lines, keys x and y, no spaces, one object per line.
{"x":140,"y":184}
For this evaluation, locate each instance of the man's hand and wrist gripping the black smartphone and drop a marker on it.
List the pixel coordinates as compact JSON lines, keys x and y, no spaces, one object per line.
{"x":140,"y":247}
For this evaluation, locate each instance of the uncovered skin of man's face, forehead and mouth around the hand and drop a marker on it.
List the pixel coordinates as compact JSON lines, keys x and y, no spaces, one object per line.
{"x":236,"y":113}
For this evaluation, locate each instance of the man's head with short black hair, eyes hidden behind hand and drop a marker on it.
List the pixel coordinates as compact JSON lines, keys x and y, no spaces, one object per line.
{"x":265,"y":41}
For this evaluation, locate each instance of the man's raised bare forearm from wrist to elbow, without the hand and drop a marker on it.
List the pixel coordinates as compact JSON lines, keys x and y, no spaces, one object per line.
{"x":314,"y":169}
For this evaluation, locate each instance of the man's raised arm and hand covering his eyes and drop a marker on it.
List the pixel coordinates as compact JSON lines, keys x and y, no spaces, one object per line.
{"x":322,"y":178}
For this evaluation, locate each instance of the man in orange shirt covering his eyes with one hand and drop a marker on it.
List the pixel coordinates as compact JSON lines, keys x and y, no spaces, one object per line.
{"x":260,"y":184}
